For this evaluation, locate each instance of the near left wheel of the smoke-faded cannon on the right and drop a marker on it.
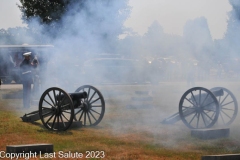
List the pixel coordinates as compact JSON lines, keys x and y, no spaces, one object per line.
{"x":198,"y":108}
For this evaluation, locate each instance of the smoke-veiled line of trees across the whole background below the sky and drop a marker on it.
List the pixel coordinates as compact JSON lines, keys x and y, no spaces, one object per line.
{"x":95,"y":26}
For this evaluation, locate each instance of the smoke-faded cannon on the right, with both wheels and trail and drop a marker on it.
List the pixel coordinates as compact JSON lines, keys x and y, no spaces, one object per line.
{"x":201,"y":108}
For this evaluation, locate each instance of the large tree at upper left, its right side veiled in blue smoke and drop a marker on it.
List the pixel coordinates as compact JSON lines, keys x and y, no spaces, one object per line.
{"x":95,"y":23}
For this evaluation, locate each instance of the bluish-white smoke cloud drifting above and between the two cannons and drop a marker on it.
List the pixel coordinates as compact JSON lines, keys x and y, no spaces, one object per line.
{"x":186,"y":61}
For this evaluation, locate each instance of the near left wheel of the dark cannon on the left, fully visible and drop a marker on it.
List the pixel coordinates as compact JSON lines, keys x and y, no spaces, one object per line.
{"x":56,"y":112}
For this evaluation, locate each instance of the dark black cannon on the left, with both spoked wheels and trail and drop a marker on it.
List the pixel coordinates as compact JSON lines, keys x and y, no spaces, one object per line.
{"x":58,"y":109}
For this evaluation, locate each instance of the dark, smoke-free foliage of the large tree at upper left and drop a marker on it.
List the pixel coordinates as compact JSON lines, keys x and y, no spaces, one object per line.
{"x":47,"y":13}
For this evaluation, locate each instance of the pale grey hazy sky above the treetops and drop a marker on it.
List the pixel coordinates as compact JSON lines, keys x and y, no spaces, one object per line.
{"x":171,"y":15}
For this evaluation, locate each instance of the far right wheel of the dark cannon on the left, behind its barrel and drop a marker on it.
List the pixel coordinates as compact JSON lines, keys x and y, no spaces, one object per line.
{"x":92,"y":109}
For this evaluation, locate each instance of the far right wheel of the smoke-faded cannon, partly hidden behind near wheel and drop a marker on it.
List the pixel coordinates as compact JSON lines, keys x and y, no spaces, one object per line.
{"x":228,"y":107}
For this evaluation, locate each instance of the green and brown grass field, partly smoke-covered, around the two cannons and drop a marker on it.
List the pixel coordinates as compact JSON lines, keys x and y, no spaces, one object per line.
{"x":125,"y":132}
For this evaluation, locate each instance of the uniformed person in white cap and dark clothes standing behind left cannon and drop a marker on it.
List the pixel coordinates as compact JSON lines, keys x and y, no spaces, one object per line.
{"x":26,"y":69}
